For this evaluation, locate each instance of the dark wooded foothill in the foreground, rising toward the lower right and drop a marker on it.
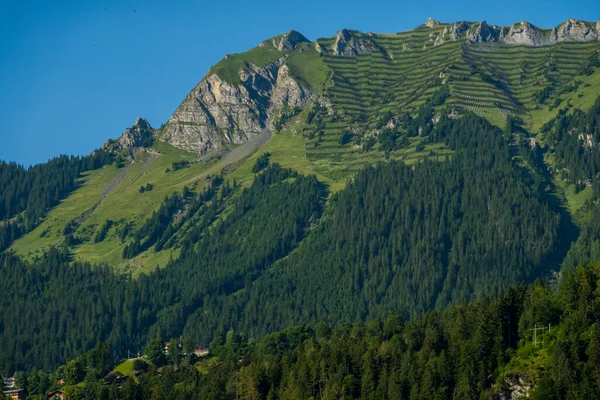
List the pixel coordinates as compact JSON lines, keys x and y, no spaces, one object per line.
{"x":483,"y":349}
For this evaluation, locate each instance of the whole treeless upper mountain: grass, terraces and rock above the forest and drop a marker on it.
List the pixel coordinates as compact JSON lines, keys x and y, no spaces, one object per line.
{"x":334,"y":106}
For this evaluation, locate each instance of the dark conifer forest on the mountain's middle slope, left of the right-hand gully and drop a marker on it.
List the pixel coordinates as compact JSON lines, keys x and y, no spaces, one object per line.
{"x":433,"y":234}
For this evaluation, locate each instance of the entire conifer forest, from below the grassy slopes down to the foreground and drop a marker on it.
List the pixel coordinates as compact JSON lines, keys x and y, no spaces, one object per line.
{"x":410,"y":282}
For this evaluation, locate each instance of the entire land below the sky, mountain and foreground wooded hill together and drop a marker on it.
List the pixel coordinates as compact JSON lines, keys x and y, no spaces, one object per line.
{"x":412,"y":215}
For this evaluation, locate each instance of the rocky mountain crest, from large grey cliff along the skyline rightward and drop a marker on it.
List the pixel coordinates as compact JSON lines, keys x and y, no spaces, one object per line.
{"x":245,"y":93}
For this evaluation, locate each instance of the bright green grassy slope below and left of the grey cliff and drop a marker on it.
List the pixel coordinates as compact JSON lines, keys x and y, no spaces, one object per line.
{"x":114,"y":194}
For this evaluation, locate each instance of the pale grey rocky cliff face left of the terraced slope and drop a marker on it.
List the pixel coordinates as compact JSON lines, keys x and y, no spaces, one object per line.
{"x":217,"y":113}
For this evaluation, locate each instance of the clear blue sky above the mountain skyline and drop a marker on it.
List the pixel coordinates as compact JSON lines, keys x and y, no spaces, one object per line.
{"x":75,"y":73}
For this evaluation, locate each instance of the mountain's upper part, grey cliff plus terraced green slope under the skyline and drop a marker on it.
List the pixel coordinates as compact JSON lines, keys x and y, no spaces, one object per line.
{"x":245,"y":93}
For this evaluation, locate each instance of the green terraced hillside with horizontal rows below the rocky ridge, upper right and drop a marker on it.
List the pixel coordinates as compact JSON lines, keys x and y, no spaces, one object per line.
{"x":403,"y":70}
